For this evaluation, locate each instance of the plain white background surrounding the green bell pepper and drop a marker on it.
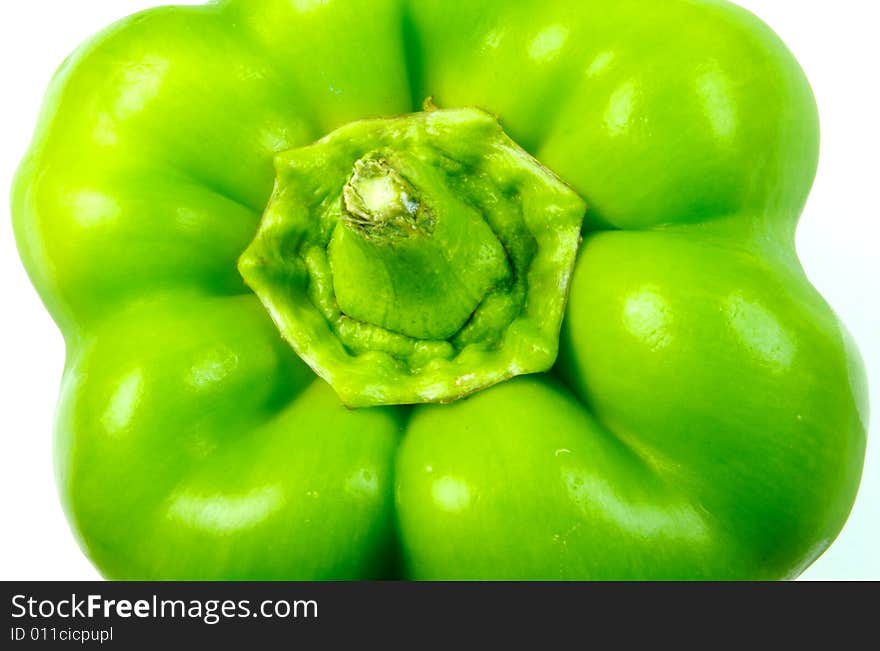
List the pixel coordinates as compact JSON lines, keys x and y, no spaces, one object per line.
{"x":837,"y":44}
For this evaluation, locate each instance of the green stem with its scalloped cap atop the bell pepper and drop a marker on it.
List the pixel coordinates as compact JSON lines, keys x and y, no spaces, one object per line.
{"x":417,"y":259}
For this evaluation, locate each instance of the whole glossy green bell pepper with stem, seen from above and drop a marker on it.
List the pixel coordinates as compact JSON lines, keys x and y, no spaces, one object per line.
{"x":556,"y":328}
